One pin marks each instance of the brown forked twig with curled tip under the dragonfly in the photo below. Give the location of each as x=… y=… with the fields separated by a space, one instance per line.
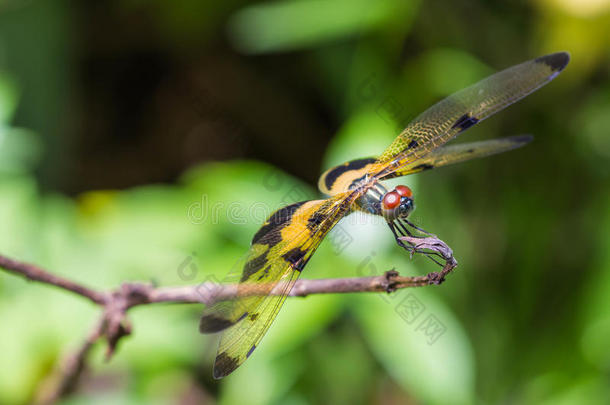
x=113 y=324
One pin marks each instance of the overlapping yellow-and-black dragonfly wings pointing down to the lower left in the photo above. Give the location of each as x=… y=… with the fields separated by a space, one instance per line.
x=279 y=252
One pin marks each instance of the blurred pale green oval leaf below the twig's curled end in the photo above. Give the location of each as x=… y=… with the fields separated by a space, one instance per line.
x=427 y=351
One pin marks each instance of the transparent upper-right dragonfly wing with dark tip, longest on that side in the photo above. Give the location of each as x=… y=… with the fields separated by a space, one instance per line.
x=460 y=111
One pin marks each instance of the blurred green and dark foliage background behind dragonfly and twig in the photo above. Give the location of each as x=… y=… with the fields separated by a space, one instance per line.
x=147 y=140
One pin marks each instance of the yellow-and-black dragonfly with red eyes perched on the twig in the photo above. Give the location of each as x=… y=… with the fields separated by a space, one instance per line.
x=284 y=244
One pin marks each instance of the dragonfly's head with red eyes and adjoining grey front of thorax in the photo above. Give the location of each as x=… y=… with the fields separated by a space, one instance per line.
x=378 y=200
